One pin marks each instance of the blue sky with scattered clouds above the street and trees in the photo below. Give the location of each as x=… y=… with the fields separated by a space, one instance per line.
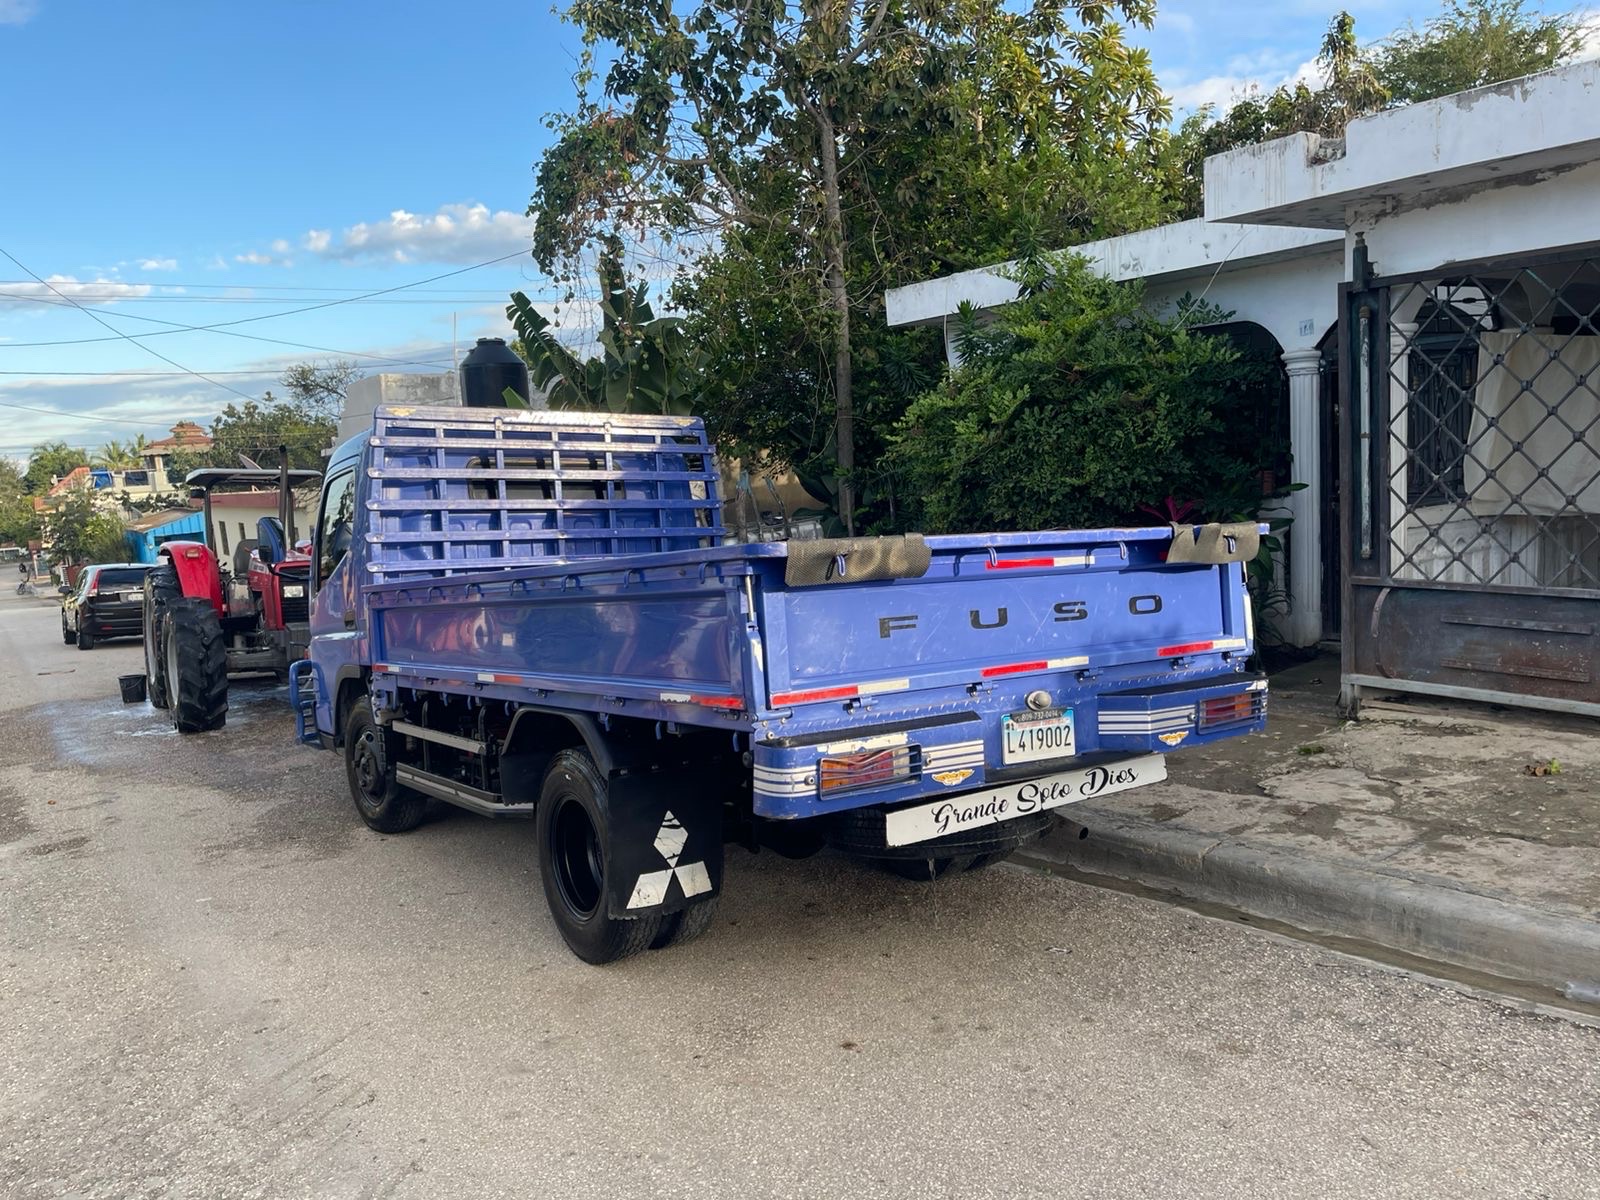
x=215 y=162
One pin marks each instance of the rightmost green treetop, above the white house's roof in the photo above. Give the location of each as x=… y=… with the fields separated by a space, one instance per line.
x=1473 y=44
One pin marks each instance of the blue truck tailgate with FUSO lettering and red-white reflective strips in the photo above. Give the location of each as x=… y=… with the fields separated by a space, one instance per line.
x=998 y=607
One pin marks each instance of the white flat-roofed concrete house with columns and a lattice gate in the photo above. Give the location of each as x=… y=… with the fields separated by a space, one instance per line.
x=1433 y=286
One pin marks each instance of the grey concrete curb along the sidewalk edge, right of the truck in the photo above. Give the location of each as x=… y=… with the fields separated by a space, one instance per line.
x=1420 y=916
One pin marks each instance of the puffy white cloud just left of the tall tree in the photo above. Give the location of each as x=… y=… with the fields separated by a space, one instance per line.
x=454 y=234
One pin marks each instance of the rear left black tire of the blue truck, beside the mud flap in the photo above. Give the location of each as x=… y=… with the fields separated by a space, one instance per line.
x=572 y=838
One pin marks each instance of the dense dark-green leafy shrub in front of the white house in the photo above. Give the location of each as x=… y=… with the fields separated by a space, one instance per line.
x=1079 y=407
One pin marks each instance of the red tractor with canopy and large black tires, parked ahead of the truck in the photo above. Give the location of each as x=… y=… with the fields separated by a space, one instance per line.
x=206 y=620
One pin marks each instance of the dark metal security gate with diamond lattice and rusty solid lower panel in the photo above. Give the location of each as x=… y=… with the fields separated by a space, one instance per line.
x=1471 y=487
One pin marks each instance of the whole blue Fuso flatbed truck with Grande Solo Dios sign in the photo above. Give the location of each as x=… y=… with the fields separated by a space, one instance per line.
x=537 y=615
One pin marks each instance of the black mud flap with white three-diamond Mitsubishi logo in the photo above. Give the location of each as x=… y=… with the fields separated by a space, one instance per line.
x=665 y=841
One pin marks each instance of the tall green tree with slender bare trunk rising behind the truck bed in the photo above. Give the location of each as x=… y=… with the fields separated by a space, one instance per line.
x=756 y=127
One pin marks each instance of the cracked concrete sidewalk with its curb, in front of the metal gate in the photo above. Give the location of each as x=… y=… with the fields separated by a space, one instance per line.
x=1449 y=836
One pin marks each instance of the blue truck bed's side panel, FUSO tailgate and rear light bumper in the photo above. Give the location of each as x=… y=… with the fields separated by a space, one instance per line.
x=1140 y=655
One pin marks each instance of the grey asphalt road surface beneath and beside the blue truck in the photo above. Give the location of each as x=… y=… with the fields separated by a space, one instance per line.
x=217 y=983
